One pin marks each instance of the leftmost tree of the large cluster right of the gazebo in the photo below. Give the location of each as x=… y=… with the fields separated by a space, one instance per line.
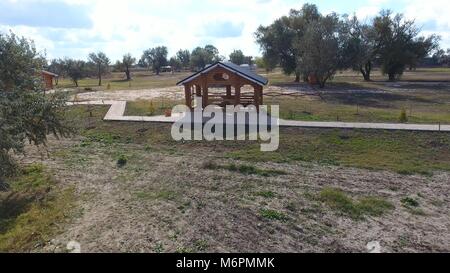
x=279 y=40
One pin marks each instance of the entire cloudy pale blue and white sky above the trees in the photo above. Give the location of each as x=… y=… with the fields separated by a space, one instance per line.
x=73 y=28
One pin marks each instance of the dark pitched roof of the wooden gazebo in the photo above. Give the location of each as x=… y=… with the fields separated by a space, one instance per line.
x=239 y=70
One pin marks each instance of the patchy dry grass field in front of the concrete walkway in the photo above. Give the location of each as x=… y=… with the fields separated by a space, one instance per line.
x=323 y=190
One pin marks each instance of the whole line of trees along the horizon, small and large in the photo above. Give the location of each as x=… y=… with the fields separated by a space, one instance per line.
x=304 y=43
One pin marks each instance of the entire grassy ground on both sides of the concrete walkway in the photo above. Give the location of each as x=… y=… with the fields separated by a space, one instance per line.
x=134 y=189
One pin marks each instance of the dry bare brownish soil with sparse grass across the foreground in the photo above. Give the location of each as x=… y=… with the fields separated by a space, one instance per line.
x=167 y=201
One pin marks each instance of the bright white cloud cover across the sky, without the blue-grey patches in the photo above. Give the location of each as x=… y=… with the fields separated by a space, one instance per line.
x=131 y=26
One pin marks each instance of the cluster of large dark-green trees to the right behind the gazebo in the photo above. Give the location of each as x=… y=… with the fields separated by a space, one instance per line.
x=306 y=43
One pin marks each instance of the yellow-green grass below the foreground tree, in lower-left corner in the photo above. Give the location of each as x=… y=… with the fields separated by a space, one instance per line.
x=32 y=210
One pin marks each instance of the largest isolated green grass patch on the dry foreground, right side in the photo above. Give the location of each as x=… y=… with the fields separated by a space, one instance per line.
x=339 y=201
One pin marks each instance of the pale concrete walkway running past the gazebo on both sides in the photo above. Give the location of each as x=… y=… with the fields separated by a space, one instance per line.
x=117 y=110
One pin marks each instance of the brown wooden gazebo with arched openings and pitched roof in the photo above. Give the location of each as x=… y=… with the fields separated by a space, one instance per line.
x=229 y=76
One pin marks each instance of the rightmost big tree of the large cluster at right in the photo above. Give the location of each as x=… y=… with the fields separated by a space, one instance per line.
x=398 y=43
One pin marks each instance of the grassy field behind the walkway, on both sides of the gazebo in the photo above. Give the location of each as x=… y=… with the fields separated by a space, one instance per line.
x=347 y=98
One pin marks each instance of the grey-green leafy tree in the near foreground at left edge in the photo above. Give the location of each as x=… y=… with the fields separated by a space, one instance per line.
x=26 y=112
